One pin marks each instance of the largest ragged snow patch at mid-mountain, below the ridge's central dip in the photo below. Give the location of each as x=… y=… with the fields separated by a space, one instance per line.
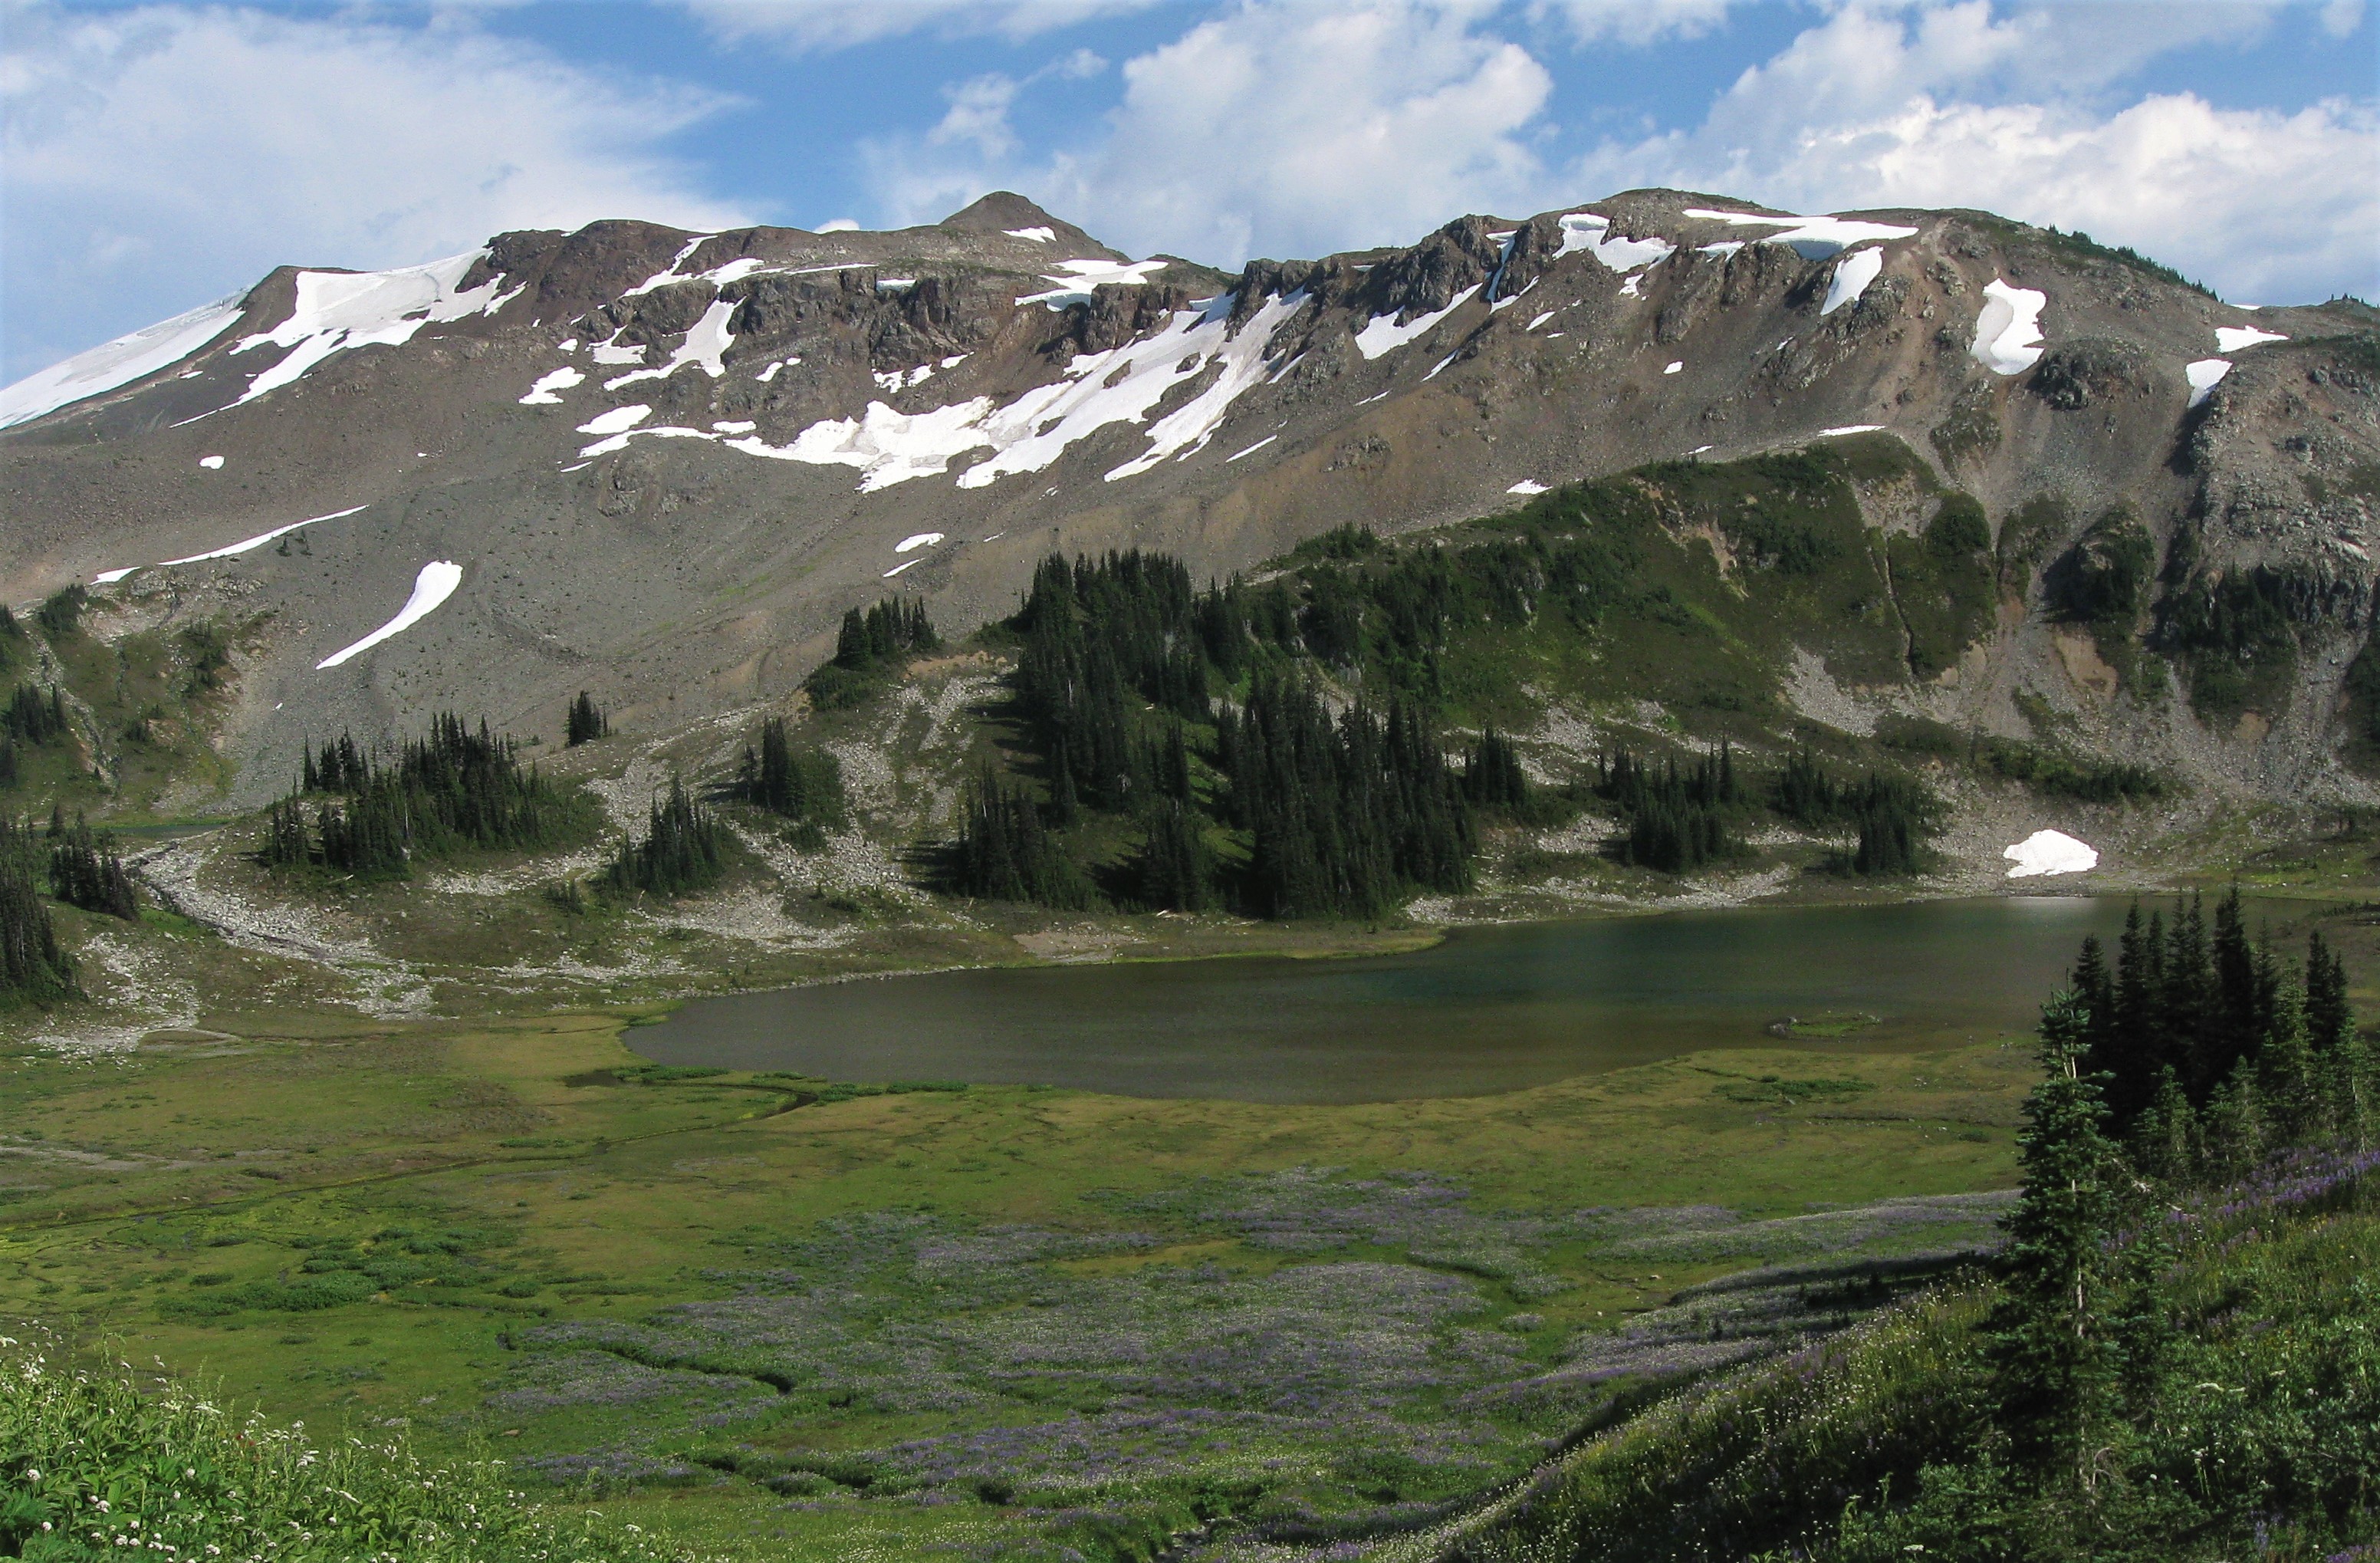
x=1098 y=389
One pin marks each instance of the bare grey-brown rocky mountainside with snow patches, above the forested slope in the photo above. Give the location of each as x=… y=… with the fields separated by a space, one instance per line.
x=665 y=465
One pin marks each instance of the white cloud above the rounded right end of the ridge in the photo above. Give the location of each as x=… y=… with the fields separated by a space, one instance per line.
x=1869 y=111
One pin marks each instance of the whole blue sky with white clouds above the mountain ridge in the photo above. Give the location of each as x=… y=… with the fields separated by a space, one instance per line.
x=165 y=156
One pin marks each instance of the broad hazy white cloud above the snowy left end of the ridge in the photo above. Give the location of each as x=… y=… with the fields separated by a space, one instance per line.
x=163 y=156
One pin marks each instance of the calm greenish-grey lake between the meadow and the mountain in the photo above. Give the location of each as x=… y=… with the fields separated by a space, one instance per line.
x=1484 y=1012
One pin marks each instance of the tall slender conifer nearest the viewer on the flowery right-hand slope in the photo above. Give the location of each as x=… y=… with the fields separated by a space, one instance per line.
x=2050 y=1360
